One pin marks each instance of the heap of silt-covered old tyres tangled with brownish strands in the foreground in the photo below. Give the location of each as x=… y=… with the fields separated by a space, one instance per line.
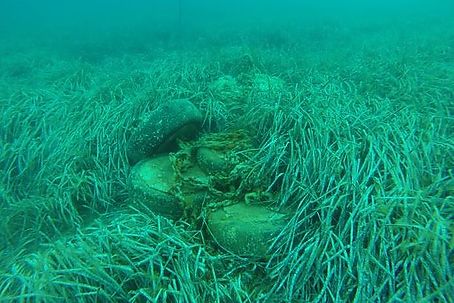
x=201 y=180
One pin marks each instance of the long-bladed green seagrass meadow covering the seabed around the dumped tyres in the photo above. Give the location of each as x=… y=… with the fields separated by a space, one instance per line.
x=350 y=129
